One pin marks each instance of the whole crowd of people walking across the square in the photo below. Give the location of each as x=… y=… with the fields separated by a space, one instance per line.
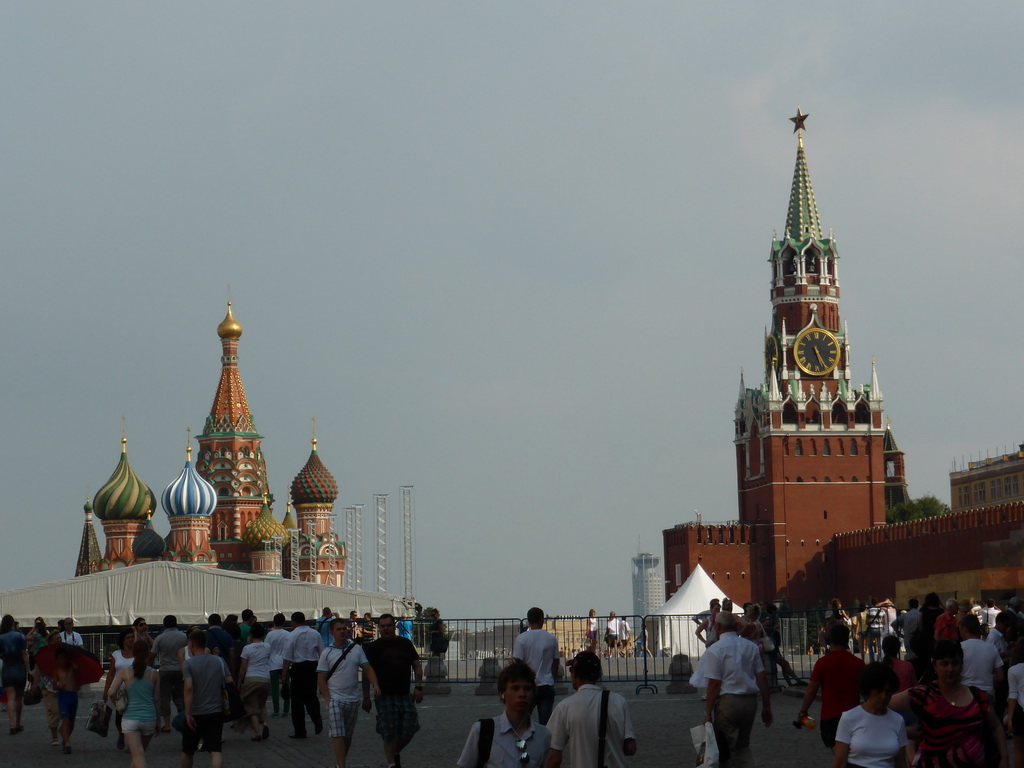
x=937 y=686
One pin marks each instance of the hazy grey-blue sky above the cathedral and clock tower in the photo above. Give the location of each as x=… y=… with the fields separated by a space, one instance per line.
x=511 y=254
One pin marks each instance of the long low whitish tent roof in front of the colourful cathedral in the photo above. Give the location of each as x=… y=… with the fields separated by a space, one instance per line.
x=190 y=592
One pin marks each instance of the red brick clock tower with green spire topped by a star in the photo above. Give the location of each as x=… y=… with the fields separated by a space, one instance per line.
x=809 y=444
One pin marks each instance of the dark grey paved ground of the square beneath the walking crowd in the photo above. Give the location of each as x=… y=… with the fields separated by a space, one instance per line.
x=662 y=722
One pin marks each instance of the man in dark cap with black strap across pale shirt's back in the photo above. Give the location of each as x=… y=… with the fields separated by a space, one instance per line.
x=576 y=721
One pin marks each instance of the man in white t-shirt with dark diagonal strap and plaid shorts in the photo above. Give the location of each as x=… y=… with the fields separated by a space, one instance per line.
x=338 y=680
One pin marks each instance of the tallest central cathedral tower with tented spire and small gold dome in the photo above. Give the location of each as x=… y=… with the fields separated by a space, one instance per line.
x=231 y=457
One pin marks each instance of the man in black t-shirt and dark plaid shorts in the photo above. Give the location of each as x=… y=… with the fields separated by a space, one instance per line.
x=395 y=661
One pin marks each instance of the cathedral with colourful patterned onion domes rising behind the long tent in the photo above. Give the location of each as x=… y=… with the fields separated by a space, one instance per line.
x=220 y=508
